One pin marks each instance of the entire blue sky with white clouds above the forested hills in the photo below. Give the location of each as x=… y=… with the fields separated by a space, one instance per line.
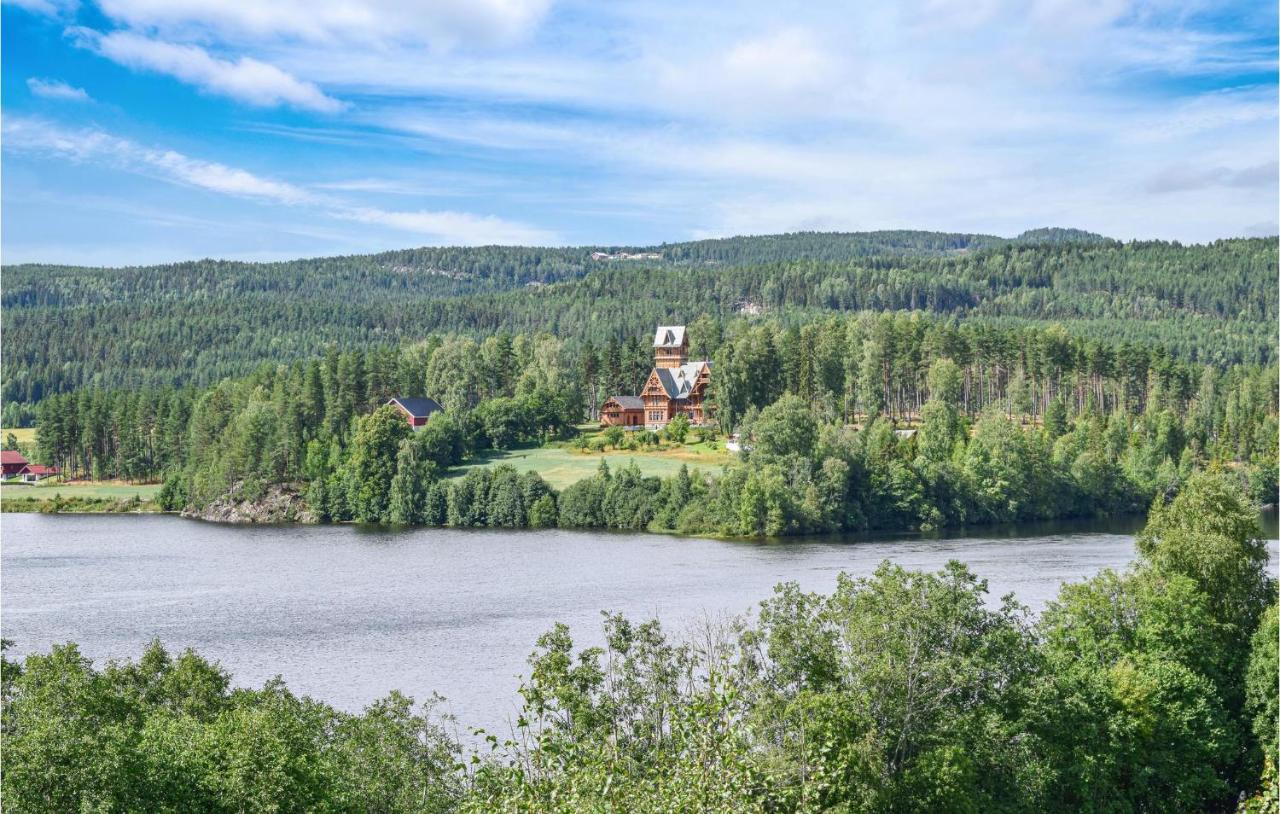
x=147 y=131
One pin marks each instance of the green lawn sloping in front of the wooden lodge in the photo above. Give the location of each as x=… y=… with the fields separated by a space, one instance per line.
x=561 y=467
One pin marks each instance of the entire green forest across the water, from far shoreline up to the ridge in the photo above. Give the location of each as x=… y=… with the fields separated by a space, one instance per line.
x=885 y=381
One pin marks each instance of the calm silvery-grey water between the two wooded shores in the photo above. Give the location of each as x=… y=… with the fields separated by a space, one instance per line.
x=346 y=615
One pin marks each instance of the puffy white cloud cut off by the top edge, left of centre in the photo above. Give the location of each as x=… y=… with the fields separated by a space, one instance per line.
x=441 y=24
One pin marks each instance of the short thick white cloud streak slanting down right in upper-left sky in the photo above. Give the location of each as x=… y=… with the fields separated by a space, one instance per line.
x=244 y=80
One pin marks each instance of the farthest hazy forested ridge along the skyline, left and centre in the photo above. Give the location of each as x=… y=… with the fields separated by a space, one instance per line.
x=447 y=271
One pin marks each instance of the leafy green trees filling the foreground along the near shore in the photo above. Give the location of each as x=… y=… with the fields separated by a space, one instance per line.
x=1146 y=690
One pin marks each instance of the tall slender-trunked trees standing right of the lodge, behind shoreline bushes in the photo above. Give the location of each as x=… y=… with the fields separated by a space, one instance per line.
x=880 y=364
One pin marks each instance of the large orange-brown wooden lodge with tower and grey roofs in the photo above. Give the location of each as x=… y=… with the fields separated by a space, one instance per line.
x=675 y=387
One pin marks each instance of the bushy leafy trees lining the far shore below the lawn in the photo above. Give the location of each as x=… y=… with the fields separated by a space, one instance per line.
x=799 y=477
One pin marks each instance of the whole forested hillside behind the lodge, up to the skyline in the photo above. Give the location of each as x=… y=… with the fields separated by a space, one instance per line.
x=67 y=328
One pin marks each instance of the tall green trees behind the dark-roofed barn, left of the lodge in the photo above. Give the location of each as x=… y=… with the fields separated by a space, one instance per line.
x=509 y=390
